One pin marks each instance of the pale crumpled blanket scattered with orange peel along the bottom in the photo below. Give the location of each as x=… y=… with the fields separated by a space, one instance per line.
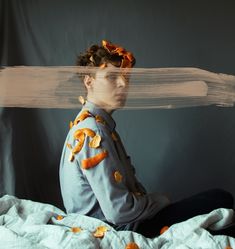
x=27 y=224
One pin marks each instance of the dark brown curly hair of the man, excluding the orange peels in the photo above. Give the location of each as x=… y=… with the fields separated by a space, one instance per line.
x=97 y=55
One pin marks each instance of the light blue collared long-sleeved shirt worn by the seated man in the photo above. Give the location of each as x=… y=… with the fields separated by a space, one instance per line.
x=96 y=192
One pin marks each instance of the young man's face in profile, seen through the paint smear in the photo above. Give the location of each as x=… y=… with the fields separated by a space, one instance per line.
x=108 y=89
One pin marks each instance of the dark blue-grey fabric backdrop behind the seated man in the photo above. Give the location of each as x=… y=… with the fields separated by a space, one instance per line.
x=181 y=151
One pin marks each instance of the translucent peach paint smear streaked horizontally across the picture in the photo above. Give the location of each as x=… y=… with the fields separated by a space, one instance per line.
x=59 y=87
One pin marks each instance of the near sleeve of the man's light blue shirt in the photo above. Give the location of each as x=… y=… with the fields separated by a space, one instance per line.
x=106 y=176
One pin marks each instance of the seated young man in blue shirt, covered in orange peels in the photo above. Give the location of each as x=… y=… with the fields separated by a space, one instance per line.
x=96 y=175
